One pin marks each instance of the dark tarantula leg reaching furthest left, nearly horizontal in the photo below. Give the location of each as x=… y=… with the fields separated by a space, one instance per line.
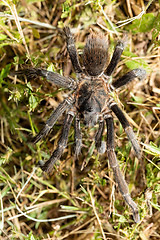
x=53 y=77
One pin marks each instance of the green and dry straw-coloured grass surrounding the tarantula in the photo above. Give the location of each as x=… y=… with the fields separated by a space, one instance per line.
x=80 y=199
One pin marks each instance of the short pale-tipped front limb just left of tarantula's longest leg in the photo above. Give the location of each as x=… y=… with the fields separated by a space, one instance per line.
x=100 y=145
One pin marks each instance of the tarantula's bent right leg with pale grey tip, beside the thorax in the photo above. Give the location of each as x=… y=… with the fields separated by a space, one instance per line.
x=128 y=77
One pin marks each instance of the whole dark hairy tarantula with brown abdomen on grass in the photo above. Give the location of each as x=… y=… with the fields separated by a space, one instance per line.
x=91 y=101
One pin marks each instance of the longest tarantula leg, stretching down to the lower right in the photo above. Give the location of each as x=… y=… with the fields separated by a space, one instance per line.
x=117 y=173
